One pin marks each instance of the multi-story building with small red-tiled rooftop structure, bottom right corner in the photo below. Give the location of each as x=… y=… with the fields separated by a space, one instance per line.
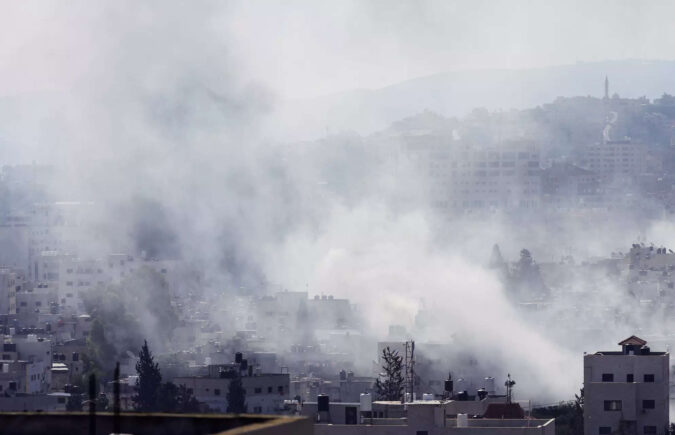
x=626 y=391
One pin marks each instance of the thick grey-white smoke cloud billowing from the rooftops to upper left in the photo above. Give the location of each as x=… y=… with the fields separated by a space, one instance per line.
x=149 y=113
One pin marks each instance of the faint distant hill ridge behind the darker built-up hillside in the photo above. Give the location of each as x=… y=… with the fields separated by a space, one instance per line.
x=457 y=93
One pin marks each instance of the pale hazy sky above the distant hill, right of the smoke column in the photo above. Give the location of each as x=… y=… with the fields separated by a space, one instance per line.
x=309 y=48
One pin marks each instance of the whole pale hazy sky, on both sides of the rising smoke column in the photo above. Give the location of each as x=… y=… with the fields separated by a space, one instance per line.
x=307 y=48
